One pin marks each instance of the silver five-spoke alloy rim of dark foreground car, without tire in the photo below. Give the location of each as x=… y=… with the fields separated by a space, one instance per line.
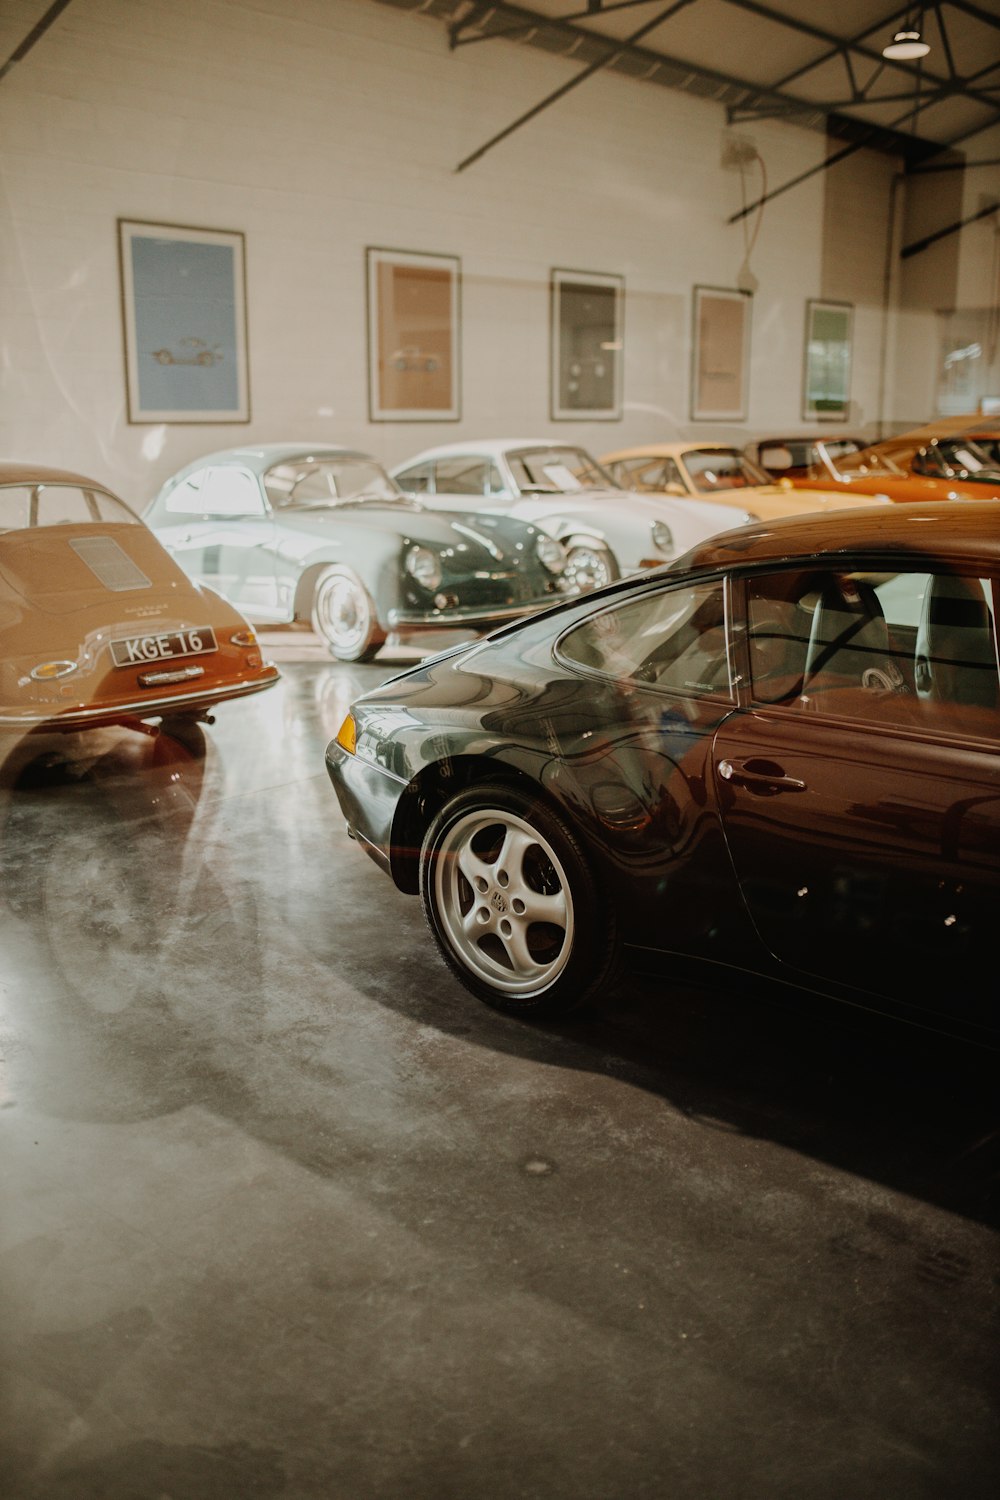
x=504 y=902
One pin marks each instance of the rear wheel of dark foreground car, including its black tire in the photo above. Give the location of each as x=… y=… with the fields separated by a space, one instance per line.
x=494 y=857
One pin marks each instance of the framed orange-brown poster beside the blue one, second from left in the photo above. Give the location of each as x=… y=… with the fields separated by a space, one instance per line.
x=413 y=337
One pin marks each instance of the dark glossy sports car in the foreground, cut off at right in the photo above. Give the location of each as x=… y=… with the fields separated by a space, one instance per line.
x=779 y=757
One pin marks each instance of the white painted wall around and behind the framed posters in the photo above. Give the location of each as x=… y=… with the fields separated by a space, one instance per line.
x=323 y=127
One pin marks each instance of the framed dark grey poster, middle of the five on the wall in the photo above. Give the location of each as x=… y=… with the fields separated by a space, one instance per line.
x=587 y=346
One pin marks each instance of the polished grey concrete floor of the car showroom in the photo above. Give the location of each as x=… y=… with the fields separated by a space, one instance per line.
x=287 y=1214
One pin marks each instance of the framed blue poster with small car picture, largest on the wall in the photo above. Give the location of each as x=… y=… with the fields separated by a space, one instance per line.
x=184 y=314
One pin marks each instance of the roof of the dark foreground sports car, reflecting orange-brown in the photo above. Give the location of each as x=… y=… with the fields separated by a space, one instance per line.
x=969 y=529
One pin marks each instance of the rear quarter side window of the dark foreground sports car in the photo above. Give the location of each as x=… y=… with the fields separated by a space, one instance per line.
x=674 y=640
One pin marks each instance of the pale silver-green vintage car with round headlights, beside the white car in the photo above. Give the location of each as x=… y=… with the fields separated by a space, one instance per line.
x=317 y=533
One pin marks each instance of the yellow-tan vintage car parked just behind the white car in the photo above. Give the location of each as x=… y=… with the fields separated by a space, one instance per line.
x=722 y=475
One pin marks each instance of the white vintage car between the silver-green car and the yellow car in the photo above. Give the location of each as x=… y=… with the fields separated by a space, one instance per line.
x=606 y=530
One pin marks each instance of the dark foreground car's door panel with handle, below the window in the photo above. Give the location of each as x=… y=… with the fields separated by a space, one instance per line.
x=831 y=829
